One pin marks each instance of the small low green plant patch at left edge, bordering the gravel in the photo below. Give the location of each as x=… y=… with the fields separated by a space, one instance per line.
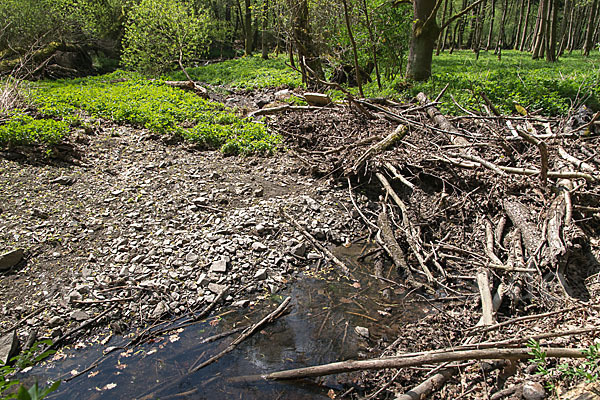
x=22 y=129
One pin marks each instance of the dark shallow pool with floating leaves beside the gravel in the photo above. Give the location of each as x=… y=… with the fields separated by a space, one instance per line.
x=320 y=328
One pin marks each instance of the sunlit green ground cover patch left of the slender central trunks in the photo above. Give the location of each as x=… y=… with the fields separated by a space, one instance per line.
x=246 y=73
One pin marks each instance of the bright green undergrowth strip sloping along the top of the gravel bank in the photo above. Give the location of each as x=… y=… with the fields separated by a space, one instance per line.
x=128 y=98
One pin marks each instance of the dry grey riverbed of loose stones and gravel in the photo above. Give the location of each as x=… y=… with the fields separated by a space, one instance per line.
x=142 y=230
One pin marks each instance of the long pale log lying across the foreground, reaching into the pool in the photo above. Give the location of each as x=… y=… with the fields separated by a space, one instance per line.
x=429 y=358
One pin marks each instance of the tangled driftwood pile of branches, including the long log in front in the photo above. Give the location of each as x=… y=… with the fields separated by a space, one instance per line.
x=504 y=207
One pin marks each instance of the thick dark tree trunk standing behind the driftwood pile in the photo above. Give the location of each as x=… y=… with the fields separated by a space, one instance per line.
x=424 y=33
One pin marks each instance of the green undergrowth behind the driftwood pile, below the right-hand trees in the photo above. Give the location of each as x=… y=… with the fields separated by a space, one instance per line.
x=552 y=88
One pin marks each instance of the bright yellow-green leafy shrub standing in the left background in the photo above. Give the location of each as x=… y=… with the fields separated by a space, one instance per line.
x=160 y=33
